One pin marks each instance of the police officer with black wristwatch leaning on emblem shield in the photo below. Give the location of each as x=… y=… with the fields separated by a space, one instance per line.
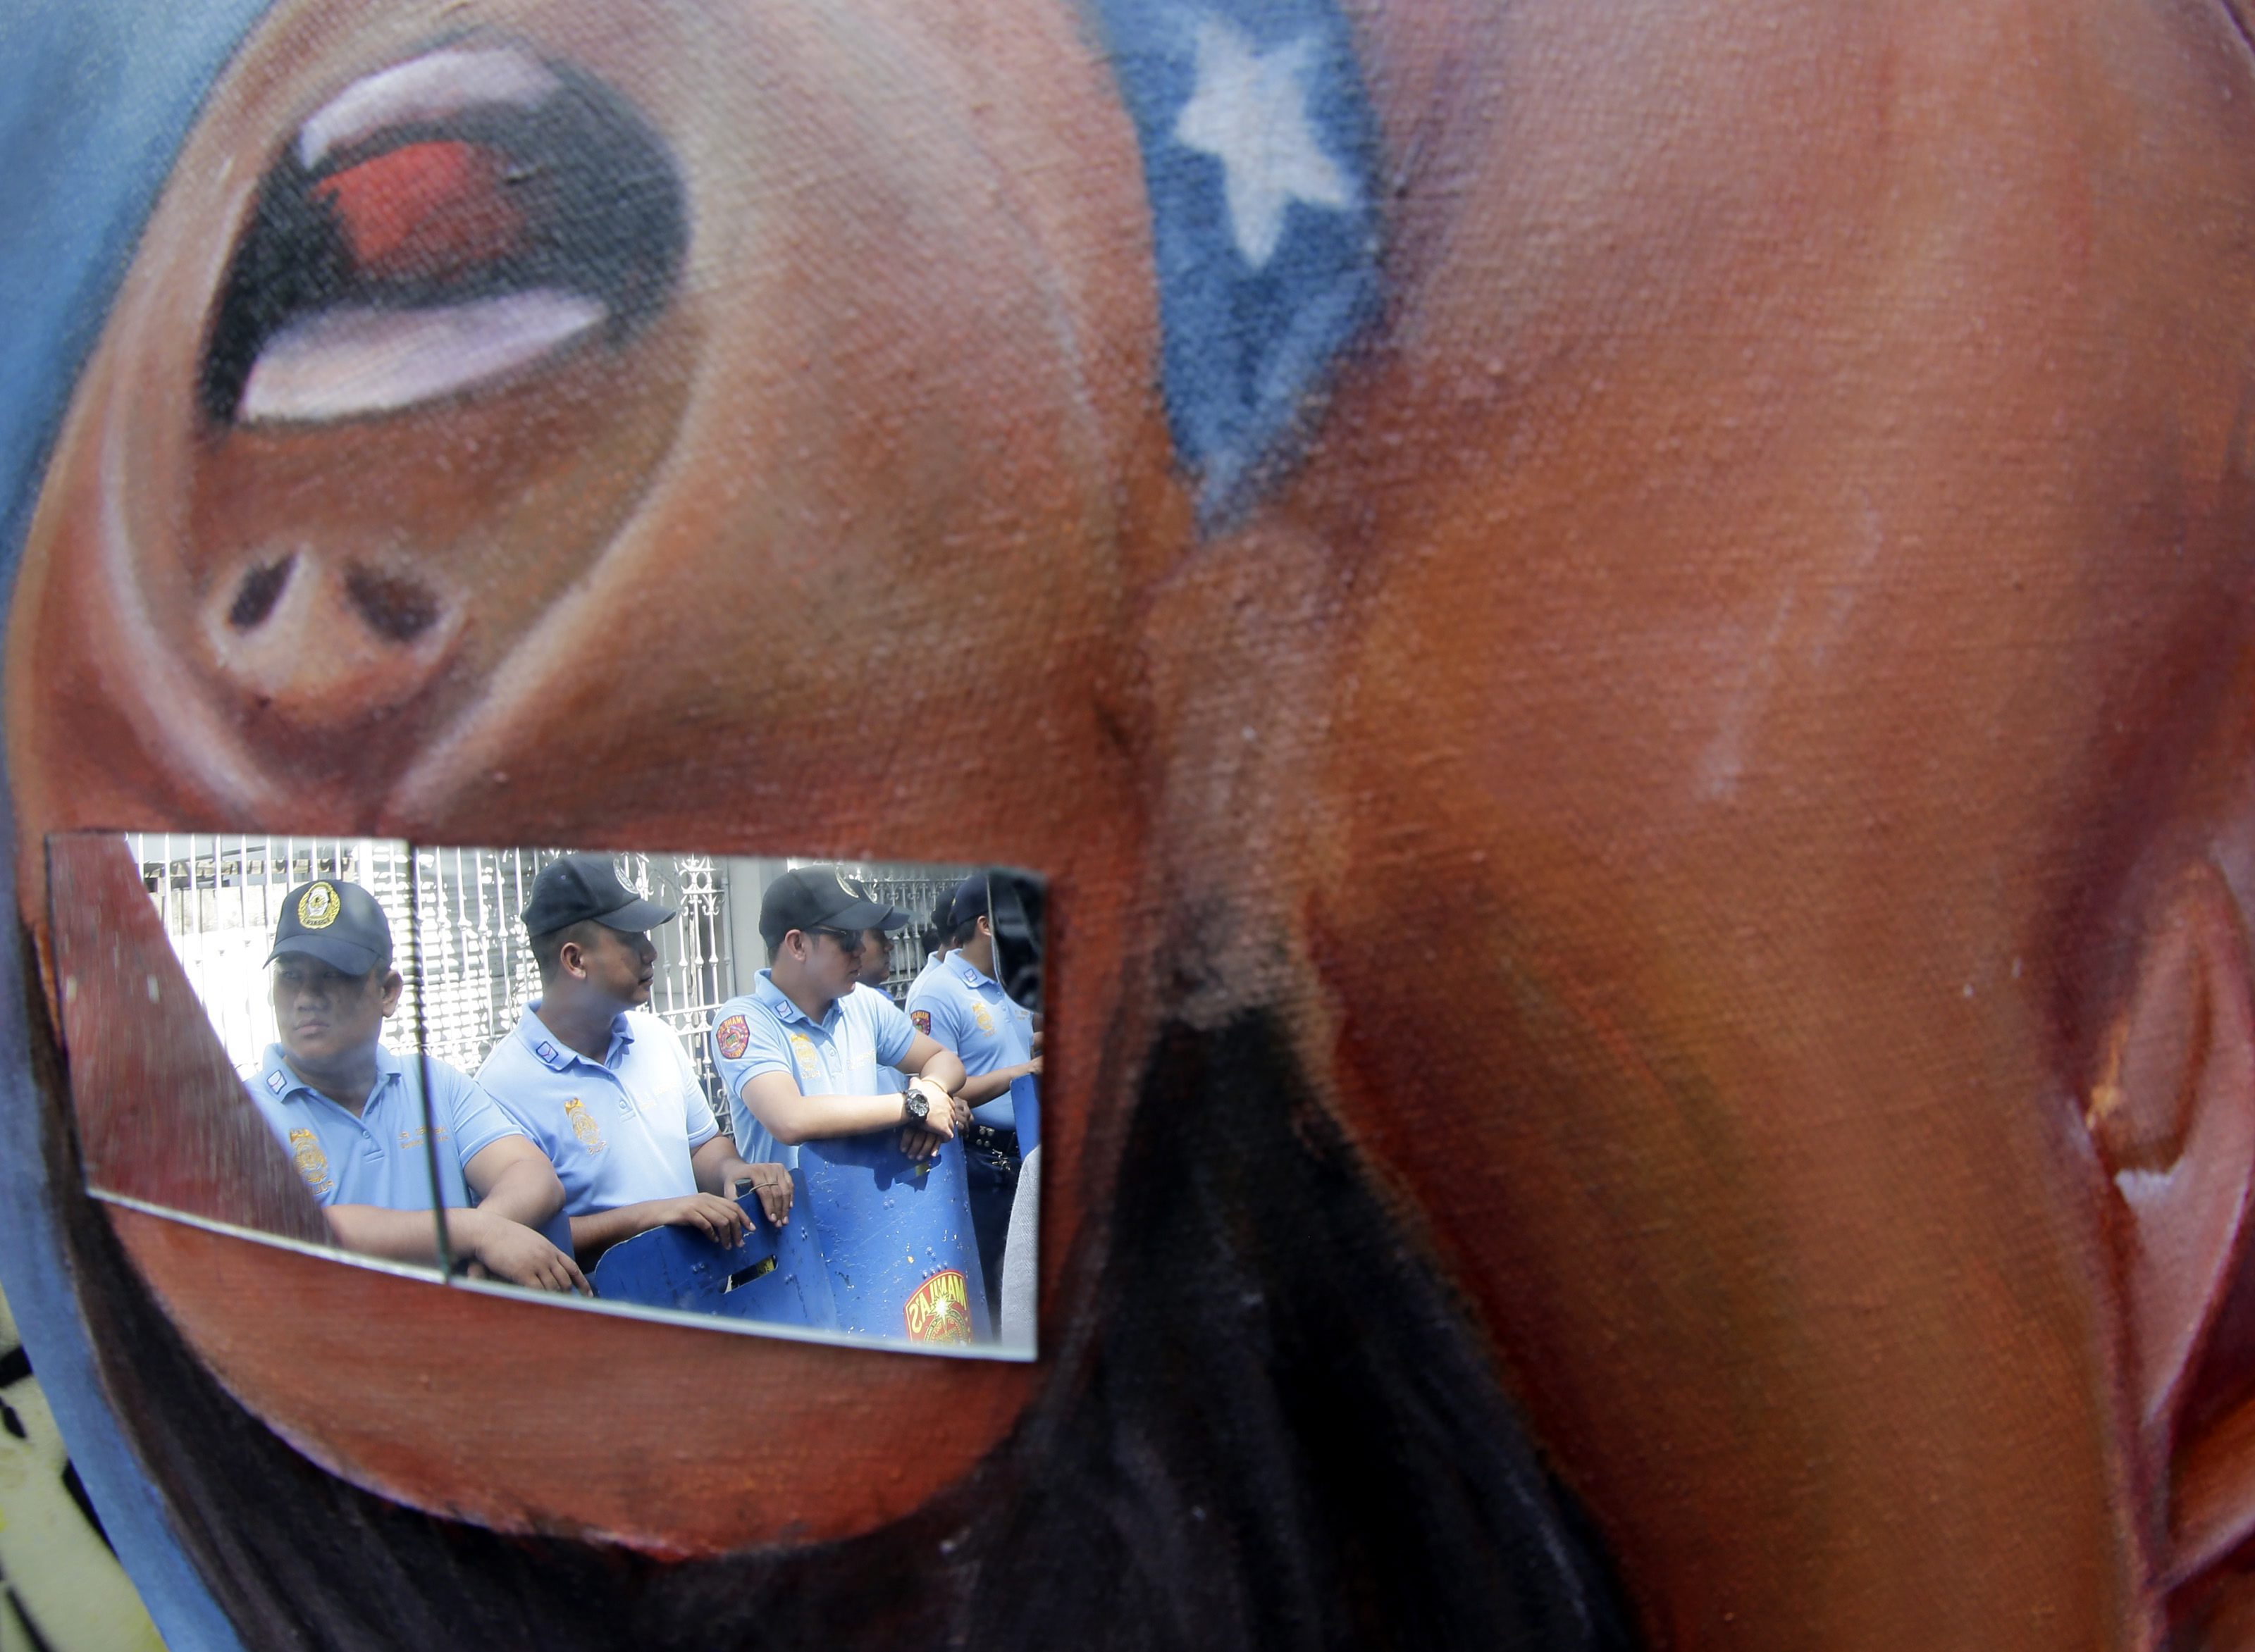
x=804 y=1051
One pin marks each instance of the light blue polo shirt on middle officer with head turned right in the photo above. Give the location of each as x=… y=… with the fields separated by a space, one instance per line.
x=617 y=1130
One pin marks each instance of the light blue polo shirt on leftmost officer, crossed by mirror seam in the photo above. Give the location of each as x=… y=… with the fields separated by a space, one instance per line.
x=380 y=1157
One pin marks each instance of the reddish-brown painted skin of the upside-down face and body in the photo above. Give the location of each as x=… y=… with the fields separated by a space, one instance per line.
x=1778 y=578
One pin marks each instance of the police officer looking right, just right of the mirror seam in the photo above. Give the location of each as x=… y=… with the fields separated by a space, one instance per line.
x=603 y=1087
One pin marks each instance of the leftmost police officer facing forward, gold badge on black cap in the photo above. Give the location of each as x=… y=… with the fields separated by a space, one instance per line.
x=353 y=1114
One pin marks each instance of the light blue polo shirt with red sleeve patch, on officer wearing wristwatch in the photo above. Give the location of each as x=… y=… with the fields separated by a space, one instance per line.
x=838 y=1056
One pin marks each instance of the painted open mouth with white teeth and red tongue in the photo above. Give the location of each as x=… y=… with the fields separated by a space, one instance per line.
x=436 y=229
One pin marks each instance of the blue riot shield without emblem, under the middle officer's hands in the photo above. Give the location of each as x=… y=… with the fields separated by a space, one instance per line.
x=777 y=1277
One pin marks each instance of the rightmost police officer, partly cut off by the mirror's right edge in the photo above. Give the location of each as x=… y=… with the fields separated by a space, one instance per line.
x=966 y=1011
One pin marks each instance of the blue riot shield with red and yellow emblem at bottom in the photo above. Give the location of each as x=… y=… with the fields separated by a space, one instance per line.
x=896 y=1236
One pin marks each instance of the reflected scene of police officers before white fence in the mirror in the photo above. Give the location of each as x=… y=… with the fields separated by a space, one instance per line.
x=790 y=1094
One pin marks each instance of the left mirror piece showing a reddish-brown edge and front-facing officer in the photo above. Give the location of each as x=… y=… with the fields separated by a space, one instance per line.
x=240 y=1024
